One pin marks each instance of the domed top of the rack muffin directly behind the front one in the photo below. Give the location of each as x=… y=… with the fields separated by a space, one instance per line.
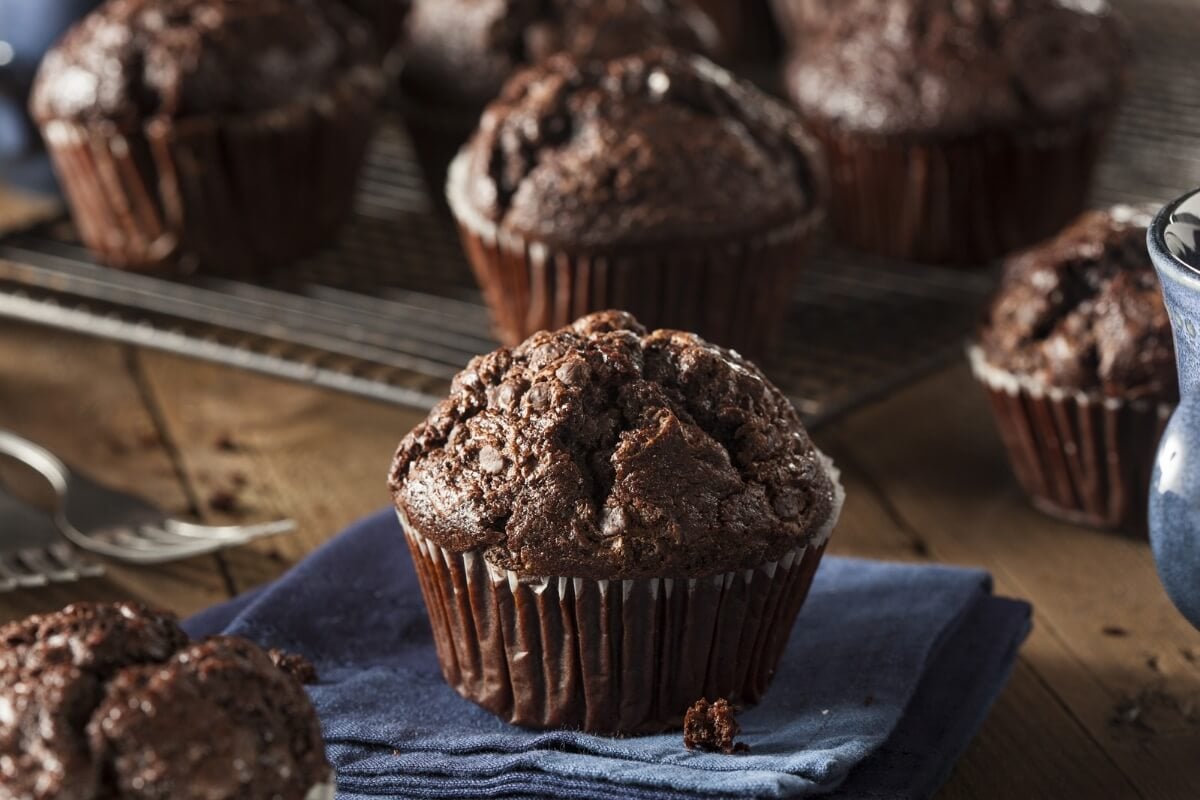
x=649 y=149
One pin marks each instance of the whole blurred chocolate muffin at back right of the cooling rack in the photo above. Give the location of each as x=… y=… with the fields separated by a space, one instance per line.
x=961 y=130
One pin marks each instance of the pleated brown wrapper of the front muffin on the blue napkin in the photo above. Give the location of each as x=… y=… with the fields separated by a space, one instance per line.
x=610 y=657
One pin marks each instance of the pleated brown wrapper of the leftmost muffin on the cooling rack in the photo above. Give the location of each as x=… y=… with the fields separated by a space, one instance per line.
x=232 y=196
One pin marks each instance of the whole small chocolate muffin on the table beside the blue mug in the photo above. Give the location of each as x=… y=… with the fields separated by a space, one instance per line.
x=1078 y=359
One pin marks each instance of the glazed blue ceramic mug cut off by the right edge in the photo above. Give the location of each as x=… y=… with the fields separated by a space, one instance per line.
x=1175 y=494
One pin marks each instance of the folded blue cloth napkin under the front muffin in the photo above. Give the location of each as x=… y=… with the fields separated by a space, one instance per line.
x=890 y=672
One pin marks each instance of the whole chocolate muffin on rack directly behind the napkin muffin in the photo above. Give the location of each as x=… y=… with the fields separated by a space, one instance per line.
x=656 y=183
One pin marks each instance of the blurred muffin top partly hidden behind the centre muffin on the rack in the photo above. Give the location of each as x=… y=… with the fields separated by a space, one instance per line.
x=461 y=52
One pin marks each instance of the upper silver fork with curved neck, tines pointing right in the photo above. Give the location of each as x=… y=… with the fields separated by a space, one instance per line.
x=121 y=526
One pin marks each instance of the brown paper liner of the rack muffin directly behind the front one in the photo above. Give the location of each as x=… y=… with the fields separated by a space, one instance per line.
x=734 y=292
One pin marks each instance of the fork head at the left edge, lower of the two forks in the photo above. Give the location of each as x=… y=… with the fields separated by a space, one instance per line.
x=33 y=552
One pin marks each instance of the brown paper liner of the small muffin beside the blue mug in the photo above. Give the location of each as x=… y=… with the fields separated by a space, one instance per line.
x=1082 y=458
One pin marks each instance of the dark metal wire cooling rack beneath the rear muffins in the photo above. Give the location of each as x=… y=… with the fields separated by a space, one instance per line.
x=392 y=311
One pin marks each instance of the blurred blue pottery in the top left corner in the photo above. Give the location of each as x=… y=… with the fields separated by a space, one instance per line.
x=28 y=28
